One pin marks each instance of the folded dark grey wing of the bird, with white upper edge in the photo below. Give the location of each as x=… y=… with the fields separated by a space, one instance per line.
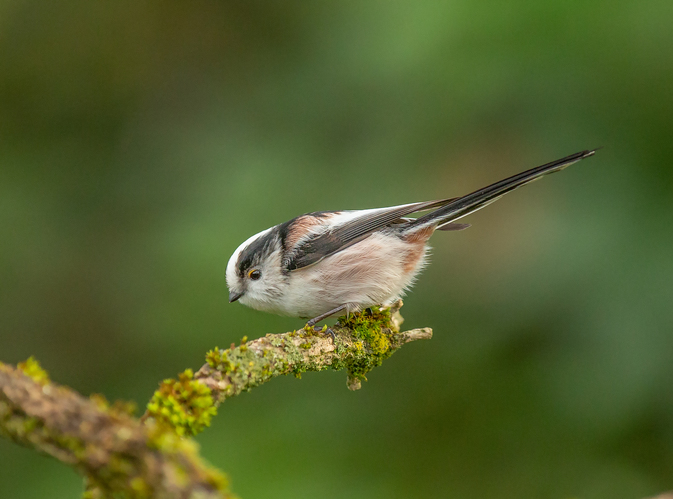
x=357 y=225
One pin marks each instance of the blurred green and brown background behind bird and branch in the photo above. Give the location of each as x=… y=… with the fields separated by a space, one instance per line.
x=141 y=142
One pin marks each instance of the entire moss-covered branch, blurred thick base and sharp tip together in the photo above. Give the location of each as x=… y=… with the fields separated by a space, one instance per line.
x=125 y=457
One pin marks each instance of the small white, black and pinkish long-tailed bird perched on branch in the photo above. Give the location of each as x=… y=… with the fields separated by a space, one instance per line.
x=324 y=263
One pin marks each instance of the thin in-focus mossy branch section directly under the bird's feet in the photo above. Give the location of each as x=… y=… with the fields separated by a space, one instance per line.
x=358 y=344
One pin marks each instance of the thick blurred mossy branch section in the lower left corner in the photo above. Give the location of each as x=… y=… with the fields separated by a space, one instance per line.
x=118 y=455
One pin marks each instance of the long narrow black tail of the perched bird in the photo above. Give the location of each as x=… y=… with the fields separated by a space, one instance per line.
x=465 y=205
